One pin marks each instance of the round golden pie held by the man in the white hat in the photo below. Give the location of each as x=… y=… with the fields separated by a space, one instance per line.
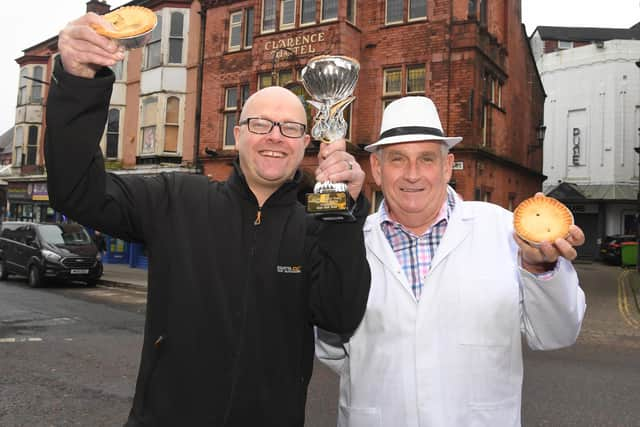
x=539 y=219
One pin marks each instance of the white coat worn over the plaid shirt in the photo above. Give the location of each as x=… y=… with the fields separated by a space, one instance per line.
x=454 y=357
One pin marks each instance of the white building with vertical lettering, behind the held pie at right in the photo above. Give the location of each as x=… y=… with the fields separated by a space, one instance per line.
x=592 y=118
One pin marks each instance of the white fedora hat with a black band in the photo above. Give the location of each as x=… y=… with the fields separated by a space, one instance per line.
x=410 y=119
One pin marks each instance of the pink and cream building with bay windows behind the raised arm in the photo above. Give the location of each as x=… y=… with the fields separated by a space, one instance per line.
x=151 y=119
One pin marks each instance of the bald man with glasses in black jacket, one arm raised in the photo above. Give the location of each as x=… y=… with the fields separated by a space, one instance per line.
x=238 y=273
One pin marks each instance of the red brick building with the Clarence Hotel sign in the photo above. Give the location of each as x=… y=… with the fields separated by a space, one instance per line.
x=471 y=57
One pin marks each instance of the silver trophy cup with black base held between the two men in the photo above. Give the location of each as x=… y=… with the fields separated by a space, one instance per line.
x=330 y=80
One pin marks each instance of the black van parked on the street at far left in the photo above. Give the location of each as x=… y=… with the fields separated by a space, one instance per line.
x=46 y=251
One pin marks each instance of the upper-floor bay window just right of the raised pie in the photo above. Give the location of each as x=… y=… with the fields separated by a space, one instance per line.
x=166 y=45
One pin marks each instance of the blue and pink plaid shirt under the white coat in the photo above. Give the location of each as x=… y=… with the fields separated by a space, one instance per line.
x=415 y=253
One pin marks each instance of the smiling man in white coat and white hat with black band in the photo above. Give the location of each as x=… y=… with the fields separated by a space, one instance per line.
x=453 y=288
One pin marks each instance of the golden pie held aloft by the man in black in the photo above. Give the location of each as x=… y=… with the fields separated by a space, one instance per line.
x=128 y=21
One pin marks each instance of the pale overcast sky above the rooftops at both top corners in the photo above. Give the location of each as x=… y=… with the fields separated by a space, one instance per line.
x=28 y=22
